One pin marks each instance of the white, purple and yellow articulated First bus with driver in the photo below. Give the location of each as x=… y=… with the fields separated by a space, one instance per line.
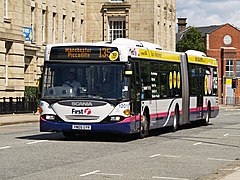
x=125 y=87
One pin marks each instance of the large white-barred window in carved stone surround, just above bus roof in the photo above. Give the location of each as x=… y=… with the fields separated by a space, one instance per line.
x=117 y=28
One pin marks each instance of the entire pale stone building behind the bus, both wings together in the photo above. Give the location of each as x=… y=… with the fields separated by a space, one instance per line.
x=26 y=26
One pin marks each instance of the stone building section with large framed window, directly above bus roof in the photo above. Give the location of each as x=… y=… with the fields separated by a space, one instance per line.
x=152 y=21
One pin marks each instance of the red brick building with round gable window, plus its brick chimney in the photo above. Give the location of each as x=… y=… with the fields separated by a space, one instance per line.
x=222 y=42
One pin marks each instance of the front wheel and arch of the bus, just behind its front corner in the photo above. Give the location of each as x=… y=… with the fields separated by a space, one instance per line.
x=145 y=123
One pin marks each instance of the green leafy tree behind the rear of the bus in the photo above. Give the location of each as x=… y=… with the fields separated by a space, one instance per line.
x=191 y=40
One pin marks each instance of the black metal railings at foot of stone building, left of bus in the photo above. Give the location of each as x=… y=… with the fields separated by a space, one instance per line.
x=17 y=105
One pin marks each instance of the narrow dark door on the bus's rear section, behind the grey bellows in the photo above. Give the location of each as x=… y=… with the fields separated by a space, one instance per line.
x=200 y=91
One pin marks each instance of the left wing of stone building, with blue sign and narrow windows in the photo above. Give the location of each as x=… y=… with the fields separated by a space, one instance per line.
x=26 y=26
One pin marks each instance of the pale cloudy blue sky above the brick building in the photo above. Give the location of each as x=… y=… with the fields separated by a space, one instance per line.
x=209 y=12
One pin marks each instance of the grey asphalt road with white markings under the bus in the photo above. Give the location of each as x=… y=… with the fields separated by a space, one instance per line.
x=195 y=152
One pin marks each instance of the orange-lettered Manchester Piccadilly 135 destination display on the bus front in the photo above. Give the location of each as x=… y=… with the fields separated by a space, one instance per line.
x=84 y=53
